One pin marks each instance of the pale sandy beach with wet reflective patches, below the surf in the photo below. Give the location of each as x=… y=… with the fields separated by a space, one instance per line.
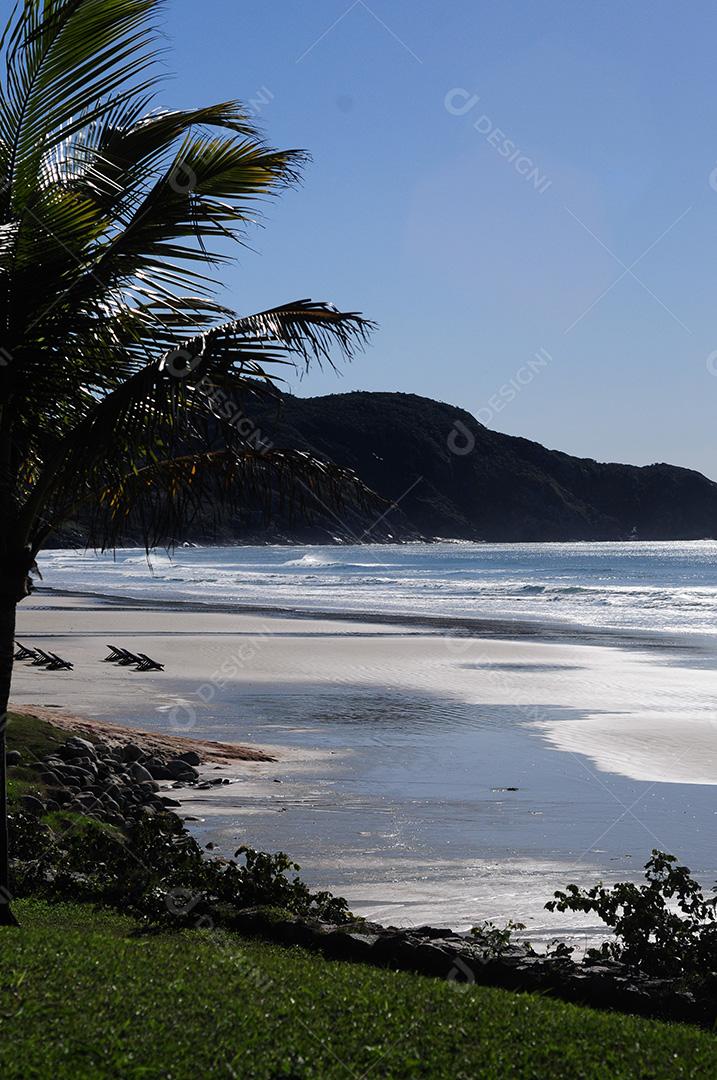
x=426 y=775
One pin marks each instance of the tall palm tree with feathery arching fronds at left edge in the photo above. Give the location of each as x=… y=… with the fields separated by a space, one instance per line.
x=116 y=358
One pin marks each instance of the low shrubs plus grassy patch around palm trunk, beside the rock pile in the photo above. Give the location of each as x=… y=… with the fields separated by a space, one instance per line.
x=151 y=867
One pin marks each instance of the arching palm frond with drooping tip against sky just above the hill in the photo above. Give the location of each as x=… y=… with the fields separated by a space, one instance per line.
x=173 y=401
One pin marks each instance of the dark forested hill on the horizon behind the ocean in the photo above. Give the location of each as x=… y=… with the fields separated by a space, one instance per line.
x=451 y=477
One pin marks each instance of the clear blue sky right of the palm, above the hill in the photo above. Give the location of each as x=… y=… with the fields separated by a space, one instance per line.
x=493 y=182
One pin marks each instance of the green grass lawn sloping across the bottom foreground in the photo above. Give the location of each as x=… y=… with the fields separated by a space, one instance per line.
x=83 y=996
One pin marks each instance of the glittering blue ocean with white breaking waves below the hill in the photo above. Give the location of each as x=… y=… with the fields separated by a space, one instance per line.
x=658 y=587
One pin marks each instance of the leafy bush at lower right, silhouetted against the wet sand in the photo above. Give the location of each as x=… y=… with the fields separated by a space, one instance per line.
x=666 y=927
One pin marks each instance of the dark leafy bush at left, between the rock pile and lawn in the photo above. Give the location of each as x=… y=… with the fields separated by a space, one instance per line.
x=156 y=871
